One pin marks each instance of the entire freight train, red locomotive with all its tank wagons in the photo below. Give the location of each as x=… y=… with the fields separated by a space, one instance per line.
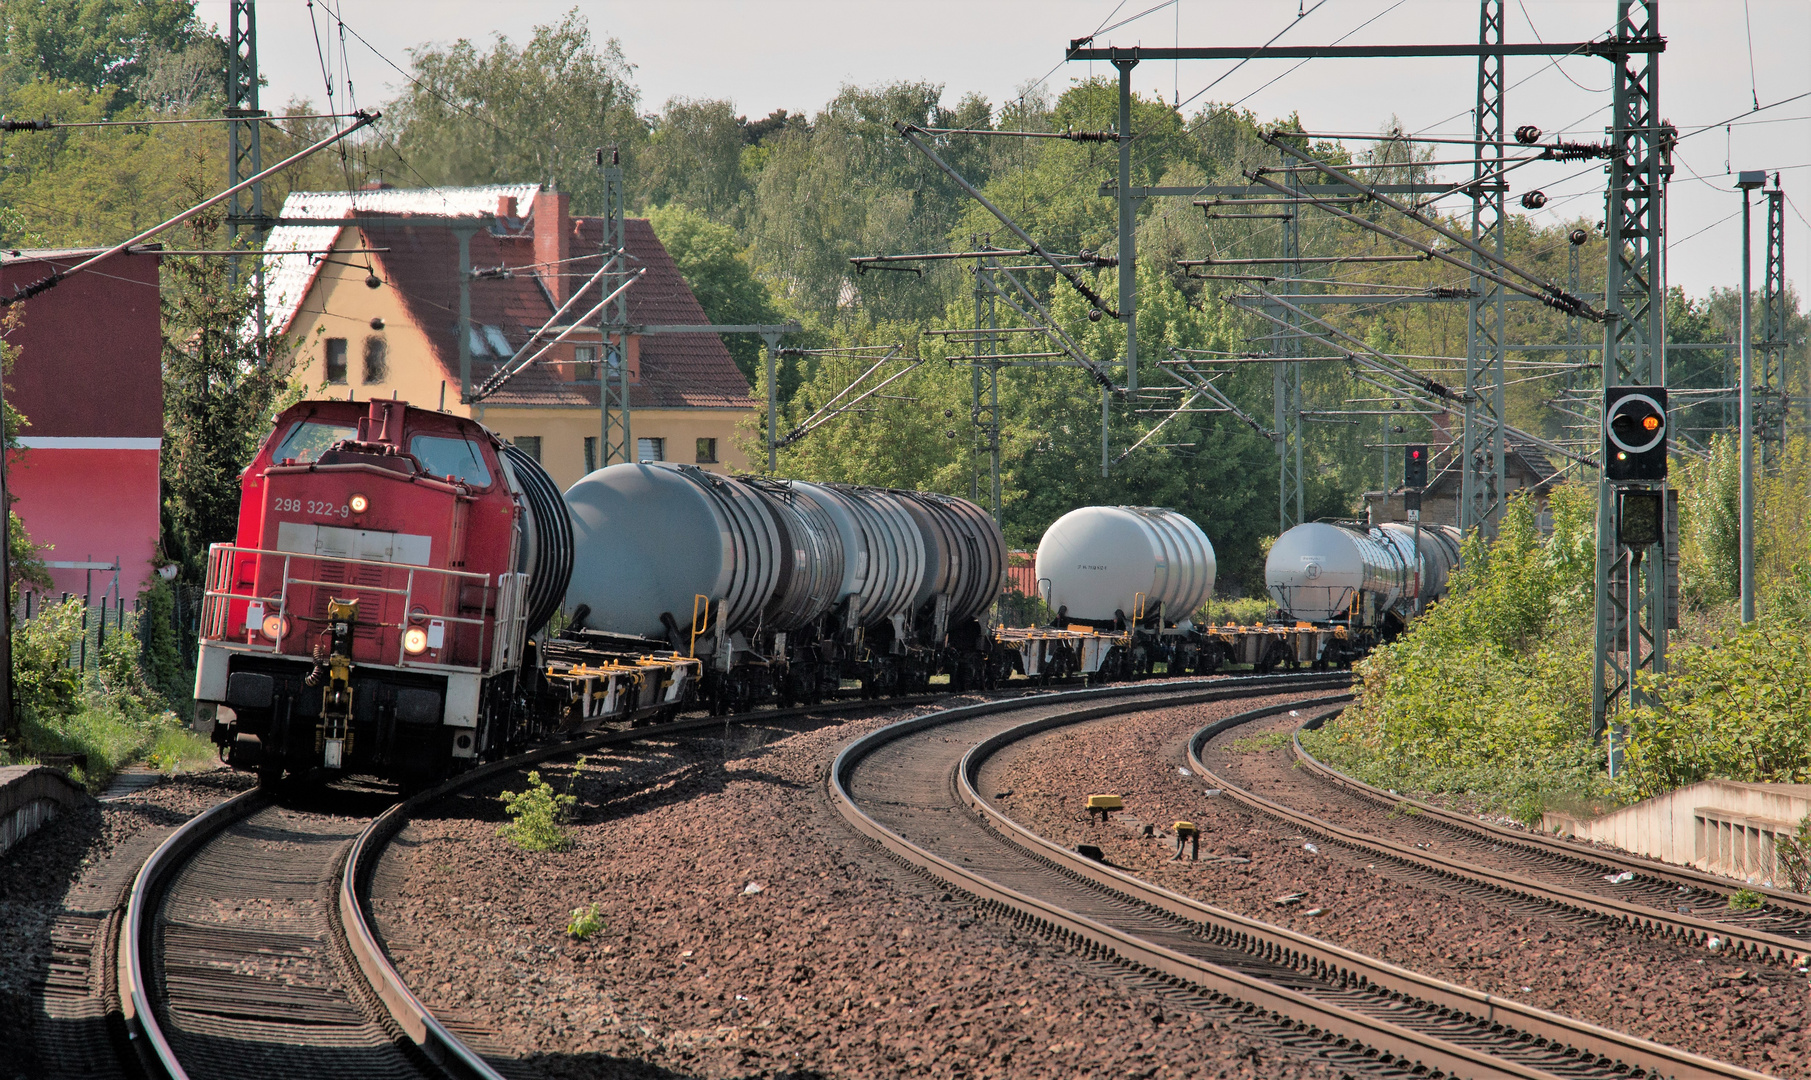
x=408 y=595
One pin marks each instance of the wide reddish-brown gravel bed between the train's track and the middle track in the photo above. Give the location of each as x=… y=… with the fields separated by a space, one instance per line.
x=747 y=931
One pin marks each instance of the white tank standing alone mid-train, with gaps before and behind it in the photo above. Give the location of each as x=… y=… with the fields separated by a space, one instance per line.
x=1106 y=564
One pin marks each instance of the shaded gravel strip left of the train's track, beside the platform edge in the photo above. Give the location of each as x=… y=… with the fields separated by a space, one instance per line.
x=79 y=860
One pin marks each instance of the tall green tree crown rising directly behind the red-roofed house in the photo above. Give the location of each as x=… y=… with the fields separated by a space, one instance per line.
x=513 y=115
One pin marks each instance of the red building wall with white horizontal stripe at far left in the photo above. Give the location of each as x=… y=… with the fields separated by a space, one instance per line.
x=90 y=380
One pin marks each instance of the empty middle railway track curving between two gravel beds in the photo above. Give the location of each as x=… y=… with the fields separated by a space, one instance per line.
x=912 y=787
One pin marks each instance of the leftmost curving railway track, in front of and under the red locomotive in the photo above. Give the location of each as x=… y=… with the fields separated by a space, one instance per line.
x=247 y=945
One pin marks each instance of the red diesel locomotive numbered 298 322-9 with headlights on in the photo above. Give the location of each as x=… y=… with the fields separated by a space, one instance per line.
x=379 y=606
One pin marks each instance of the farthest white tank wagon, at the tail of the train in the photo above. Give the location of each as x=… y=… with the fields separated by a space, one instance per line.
x=1370 y=579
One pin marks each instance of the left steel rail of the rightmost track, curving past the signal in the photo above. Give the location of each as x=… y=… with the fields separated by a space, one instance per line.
x=1638 y=916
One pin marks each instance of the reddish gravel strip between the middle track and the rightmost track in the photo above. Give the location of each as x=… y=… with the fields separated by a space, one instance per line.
x=1747 y=1012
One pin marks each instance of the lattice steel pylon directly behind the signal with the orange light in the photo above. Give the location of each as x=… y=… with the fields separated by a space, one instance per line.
x=1634 y=356
